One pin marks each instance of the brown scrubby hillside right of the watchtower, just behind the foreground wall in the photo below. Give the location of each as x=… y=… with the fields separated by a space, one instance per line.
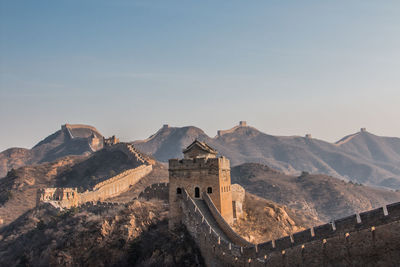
x=322 y=196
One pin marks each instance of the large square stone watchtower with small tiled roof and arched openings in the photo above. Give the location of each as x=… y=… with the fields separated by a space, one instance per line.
x=200 y=172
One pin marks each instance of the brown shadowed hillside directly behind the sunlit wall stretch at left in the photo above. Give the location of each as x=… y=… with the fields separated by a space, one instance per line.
x=18 y=190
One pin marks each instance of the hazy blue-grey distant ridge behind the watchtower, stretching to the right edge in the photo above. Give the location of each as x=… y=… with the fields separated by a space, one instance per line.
x=362 y=157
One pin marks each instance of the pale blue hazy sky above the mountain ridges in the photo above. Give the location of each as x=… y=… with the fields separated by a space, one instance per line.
x=127 y=67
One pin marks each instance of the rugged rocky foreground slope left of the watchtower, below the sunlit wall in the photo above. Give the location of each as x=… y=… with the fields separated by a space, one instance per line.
x=135 y=234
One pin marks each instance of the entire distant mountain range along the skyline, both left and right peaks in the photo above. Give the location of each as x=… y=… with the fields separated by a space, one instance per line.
x=361 y=157
